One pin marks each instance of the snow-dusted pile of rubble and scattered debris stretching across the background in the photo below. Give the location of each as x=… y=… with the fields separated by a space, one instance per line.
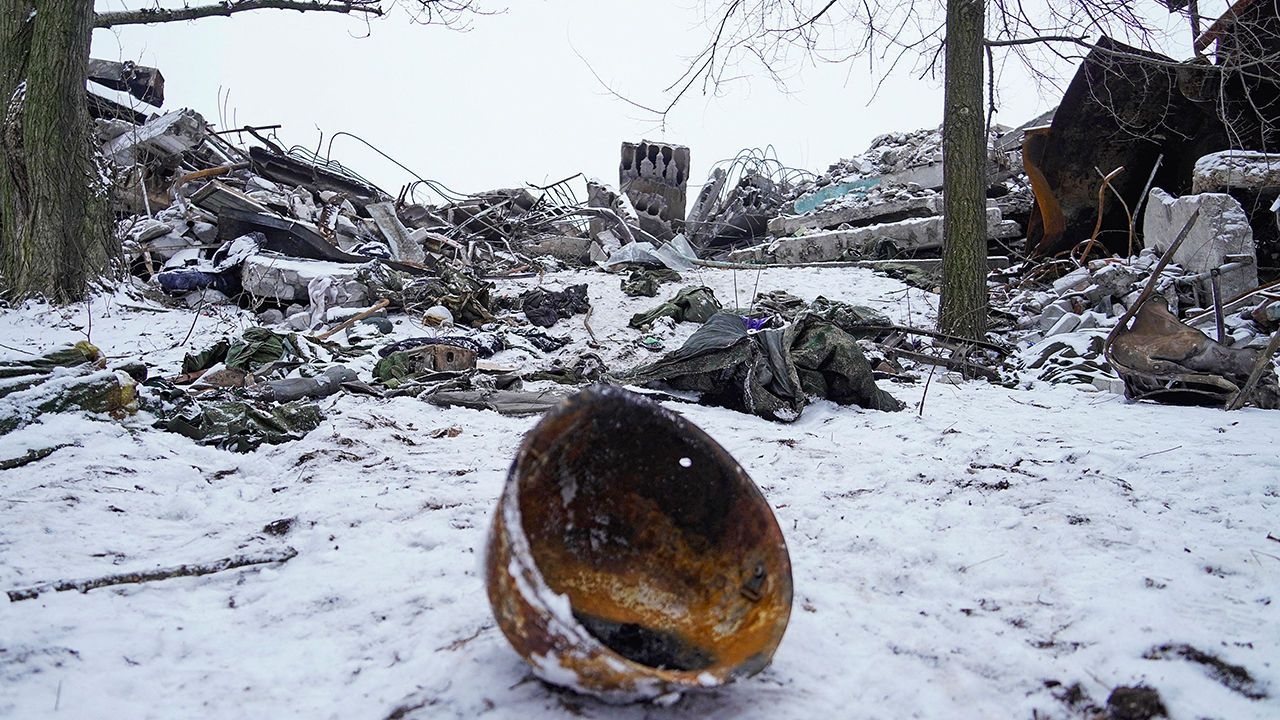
x=1164 y=303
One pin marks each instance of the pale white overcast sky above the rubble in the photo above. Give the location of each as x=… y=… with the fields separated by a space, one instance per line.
x=513 y=102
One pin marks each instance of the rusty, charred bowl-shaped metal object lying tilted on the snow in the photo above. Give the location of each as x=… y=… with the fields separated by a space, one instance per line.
x=632 y=557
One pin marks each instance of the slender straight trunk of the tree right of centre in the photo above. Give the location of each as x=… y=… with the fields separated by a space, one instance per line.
x=964 y=151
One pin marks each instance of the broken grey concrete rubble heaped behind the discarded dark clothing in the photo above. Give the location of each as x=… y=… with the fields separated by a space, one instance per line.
x=234 y=217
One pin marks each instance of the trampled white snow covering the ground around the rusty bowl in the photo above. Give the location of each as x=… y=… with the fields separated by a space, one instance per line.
x=949 y=560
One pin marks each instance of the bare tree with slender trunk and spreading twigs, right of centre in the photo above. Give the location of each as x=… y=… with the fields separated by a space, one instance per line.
x=929 y=37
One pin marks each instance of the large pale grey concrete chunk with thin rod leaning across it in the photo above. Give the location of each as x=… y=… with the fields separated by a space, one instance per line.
x=1222 y=230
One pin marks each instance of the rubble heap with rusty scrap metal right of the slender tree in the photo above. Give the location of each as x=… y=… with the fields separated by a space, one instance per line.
x=1199 y=265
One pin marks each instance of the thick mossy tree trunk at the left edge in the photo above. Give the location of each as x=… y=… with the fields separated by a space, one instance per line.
x=54 y=215
